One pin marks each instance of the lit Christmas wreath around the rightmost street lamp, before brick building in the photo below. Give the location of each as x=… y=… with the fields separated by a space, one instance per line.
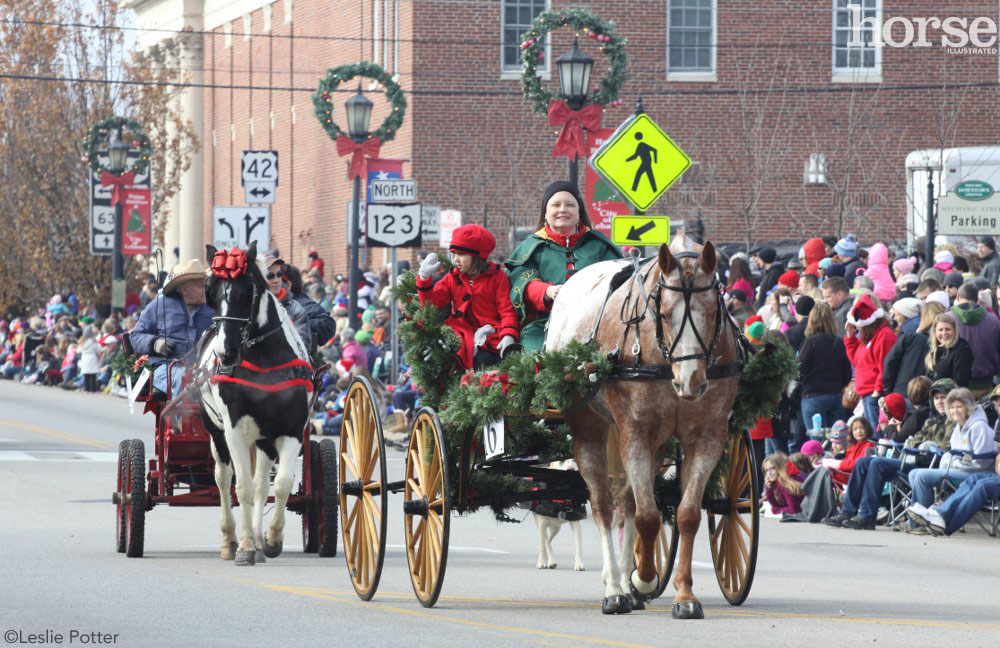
x=533 y=52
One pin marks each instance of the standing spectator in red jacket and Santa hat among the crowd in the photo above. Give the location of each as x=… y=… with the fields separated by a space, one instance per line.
x=869 y=339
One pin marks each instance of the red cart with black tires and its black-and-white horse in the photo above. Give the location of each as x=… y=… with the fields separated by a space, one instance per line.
x=266 y=376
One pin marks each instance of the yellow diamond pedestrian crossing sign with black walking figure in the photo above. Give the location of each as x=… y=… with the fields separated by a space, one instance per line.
x=640 y=160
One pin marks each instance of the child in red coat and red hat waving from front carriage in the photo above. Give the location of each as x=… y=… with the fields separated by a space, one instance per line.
x=478 y=293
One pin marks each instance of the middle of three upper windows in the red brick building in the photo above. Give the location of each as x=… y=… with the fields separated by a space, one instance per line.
x=691 y=36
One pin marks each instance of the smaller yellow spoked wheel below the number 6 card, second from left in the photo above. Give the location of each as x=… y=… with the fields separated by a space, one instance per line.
x=426 y=507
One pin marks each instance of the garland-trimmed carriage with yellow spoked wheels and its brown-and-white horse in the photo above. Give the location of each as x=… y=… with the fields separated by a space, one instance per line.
x=444 y=465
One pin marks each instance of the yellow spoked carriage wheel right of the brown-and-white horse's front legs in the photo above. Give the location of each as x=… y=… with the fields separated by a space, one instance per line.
x=734 y=534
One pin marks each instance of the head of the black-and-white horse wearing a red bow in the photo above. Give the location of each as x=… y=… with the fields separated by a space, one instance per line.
x=236 y=291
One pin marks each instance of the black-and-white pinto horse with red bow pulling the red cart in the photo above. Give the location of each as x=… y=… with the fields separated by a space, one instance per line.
x=257 y=399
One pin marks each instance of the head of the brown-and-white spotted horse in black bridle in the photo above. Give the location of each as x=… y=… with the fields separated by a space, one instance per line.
x=689 y=305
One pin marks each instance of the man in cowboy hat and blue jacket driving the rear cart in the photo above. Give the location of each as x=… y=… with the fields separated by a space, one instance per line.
x=170 y=325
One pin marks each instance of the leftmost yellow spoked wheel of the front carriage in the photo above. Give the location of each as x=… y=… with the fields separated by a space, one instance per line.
x=363 y=496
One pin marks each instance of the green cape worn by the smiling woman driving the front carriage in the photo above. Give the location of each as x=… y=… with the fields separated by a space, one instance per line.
x=539 y=257
